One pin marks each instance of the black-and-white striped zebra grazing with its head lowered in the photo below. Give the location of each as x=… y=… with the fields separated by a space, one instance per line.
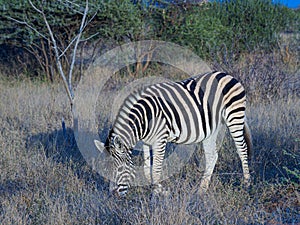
x=189 y=111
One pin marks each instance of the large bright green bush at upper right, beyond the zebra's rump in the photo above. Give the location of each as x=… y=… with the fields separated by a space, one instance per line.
x=240 y=26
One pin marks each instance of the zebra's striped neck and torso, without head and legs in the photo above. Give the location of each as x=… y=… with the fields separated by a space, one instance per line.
x=191 y=109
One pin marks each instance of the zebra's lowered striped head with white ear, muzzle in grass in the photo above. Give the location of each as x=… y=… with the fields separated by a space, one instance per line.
x=122 y=167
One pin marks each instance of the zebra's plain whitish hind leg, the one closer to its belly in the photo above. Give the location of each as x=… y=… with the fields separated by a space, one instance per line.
x=211 y=156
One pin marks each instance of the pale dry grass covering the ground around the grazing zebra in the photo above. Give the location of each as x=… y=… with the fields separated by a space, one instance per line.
x=44 y=179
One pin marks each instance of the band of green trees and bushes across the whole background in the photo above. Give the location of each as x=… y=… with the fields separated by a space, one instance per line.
x=210 y=30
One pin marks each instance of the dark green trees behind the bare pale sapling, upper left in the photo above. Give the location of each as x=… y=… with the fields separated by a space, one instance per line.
x=25 y=33
